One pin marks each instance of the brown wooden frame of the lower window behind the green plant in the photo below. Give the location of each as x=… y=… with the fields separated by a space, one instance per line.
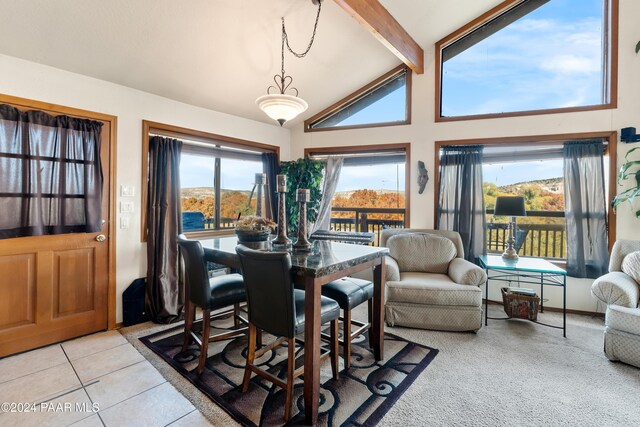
x=376 y=148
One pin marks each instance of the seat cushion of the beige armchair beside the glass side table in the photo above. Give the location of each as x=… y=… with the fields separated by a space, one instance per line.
x=432 y=289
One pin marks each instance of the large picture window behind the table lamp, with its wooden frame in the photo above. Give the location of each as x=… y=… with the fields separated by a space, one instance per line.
x=532 y=167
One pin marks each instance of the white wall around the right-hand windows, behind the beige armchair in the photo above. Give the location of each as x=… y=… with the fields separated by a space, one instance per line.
x=424 y=131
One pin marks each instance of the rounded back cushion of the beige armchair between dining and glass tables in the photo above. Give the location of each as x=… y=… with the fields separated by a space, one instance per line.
x=422 y=252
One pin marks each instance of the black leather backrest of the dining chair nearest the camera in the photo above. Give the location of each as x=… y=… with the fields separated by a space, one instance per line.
x=269 y=287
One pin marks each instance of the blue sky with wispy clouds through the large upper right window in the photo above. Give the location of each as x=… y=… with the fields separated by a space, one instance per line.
x=547 y=59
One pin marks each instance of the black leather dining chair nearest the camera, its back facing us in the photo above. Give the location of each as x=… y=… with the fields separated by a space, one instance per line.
x=277 y=308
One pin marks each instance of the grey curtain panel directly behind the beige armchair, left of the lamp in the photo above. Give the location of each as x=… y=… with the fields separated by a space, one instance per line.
x=461 y=201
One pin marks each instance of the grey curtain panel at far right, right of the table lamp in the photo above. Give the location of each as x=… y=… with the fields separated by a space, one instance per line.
x=585 y=209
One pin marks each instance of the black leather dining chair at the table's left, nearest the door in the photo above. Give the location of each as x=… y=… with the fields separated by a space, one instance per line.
x=210 y=295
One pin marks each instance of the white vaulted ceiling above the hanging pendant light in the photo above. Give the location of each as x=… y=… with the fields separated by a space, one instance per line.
x=218 y=54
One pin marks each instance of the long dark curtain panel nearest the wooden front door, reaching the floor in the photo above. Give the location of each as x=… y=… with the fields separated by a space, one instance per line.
x=164 y=292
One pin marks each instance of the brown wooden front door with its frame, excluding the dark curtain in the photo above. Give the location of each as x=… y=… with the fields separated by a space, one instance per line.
x=53 y=288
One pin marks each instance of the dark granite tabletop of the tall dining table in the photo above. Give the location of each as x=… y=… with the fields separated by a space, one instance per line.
x=325 y=257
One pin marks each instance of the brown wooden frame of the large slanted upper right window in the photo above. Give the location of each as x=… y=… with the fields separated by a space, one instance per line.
x=610 y=70
